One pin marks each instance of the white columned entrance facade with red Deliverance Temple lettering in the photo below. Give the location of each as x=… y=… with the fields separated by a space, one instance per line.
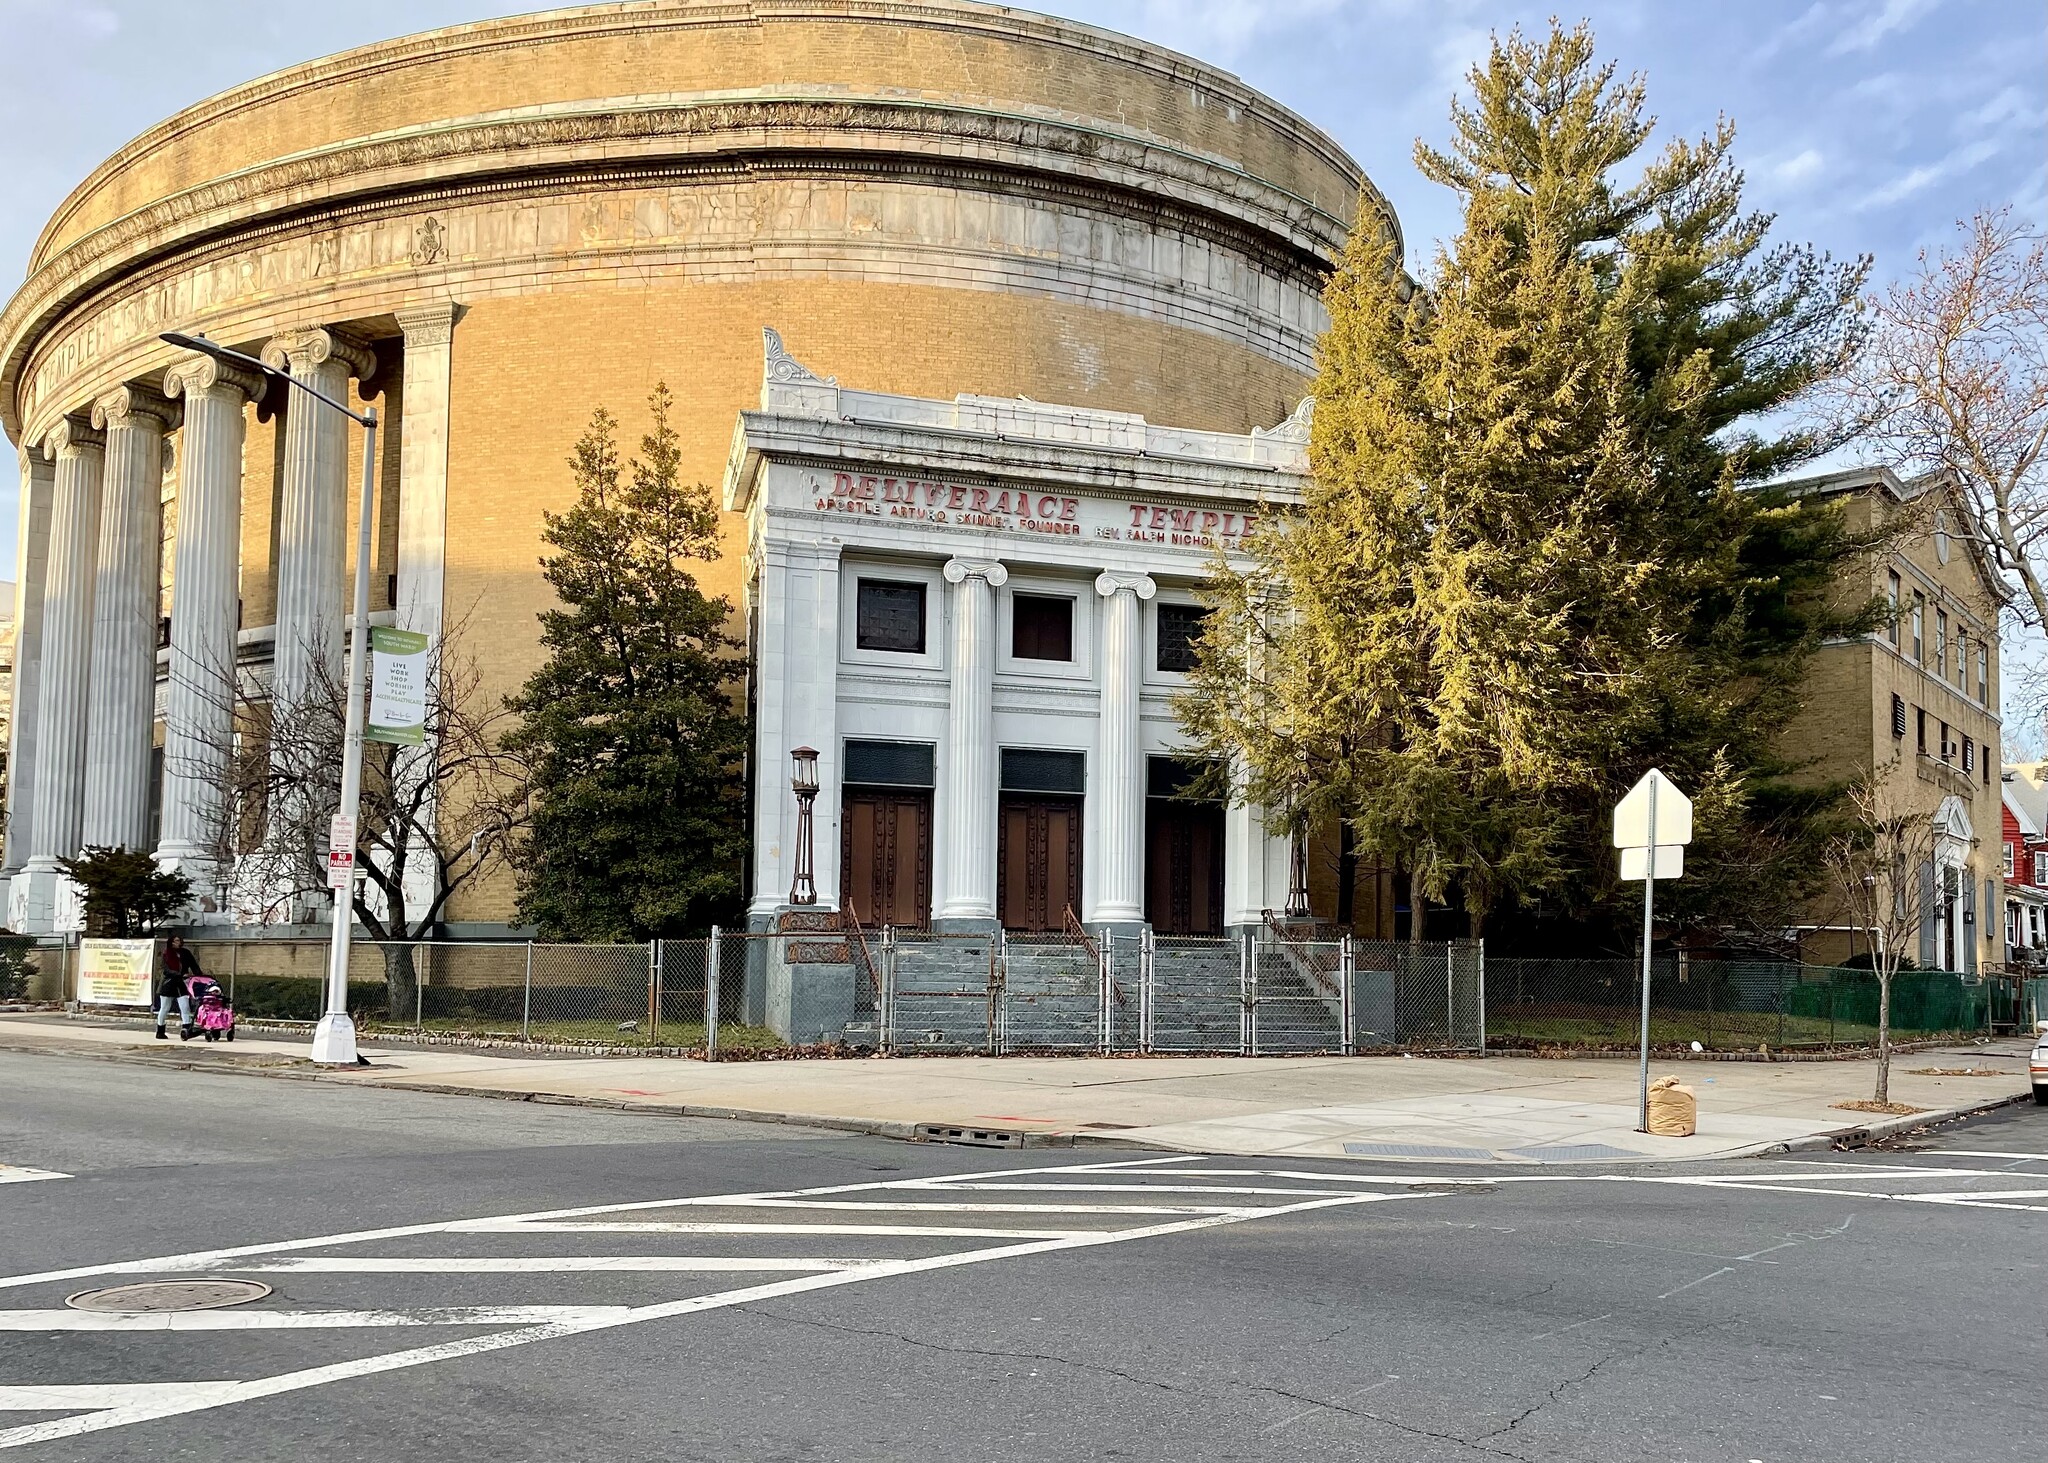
x=980 y=501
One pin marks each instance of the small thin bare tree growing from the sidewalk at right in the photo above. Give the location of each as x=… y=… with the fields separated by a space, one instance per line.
x=1881 y=864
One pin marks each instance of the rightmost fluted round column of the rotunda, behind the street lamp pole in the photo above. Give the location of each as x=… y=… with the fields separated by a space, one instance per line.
x=312 y=521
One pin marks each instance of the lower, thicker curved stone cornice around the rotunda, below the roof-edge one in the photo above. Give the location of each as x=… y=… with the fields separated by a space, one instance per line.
x=550 y=151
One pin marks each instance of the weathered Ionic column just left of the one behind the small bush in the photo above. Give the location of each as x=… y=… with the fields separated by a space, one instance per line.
x=75 y=528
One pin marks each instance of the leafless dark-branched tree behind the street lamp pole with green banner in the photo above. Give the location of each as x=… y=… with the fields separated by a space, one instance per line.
x=435 y=819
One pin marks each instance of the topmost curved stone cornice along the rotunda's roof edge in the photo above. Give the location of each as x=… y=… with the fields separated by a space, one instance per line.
x=650 y=19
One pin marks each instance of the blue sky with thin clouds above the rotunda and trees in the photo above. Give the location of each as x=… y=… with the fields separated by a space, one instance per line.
x=1867 y=126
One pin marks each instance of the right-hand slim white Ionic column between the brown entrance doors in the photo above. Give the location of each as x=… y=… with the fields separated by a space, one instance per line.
x=1119 y=784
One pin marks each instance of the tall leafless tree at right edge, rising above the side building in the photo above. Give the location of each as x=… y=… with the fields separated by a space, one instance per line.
x=1955 y=380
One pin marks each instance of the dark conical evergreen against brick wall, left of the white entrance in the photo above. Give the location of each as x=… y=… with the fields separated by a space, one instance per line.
x=634 y=722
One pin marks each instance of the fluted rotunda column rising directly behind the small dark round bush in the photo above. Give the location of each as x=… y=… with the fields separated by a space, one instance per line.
x=122 y=702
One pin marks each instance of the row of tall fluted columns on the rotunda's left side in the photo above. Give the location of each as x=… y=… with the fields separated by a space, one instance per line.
x=87 y=657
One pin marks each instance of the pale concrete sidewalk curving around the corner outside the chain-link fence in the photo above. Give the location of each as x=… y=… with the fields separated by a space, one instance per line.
x=1498 y=1110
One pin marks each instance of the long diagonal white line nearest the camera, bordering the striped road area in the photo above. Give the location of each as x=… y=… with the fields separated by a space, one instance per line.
x=171 y=1405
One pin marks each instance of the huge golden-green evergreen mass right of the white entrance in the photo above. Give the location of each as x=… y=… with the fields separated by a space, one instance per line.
x=1537 y=556
